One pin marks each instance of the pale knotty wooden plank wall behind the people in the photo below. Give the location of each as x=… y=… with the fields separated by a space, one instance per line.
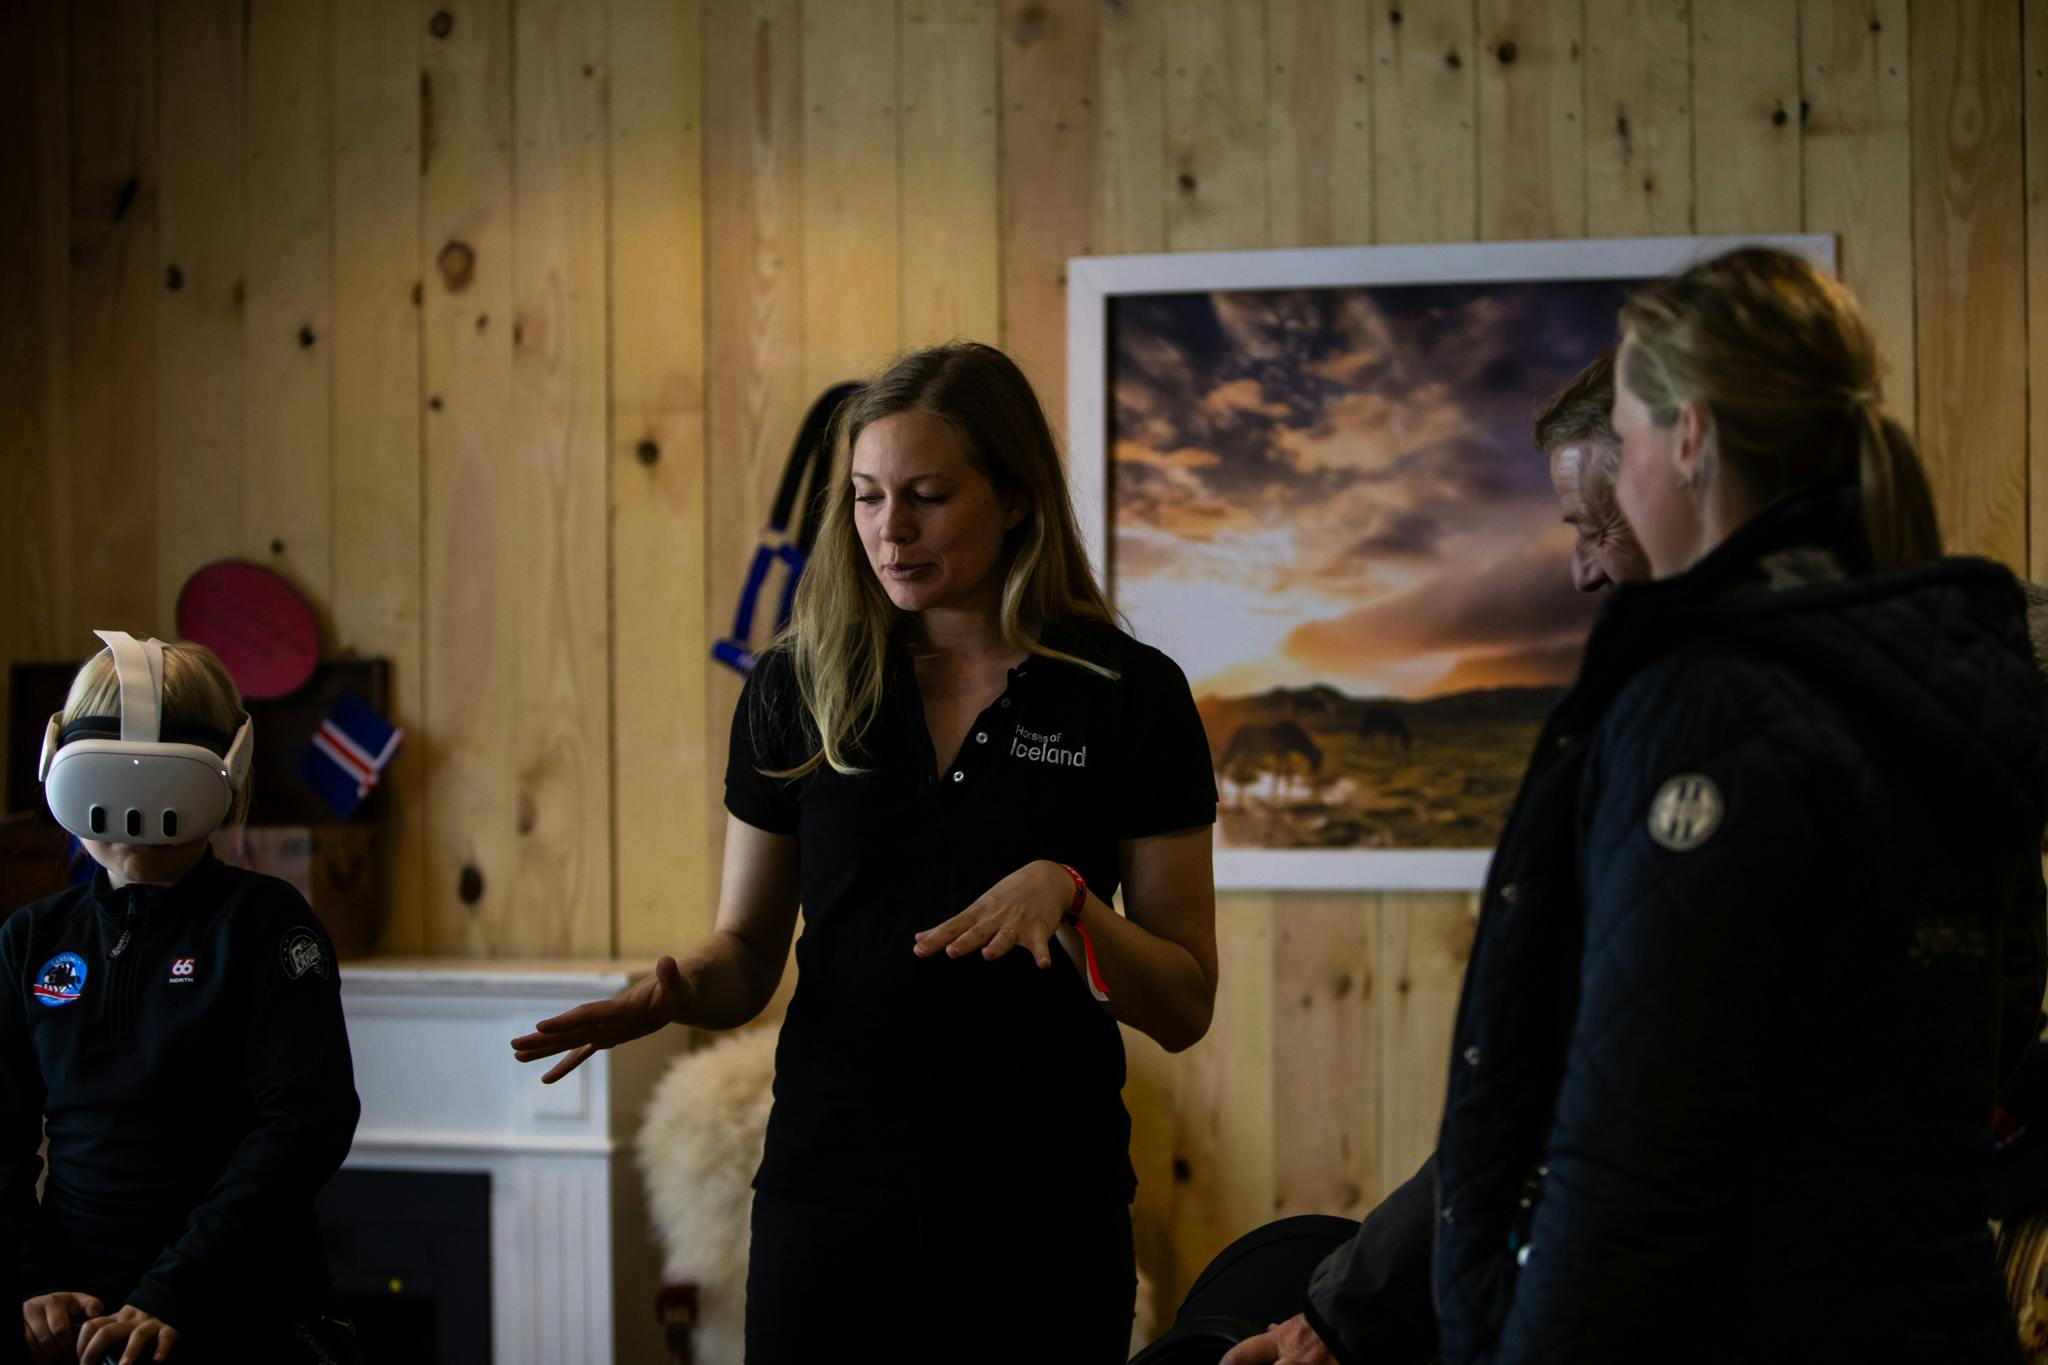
x=488 y=322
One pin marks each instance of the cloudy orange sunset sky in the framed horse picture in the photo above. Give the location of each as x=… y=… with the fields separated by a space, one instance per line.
x=1338 y=486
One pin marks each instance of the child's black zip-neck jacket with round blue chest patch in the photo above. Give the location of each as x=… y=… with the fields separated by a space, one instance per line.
x=187 y=1049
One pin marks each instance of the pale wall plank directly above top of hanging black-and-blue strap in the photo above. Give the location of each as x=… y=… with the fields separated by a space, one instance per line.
x=851 y=273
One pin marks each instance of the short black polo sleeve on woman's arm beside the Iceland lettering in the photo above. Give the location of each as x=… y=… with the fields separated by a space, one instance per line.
x=1166 y=779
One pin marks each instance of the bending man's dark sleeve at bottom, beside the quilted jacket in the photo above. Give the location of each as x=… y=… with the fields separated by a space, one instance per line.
x=1371 y=1298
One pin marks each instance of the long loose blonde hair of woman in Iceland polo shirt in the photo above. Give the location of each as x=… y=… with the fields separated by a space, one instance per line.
x=843 y=621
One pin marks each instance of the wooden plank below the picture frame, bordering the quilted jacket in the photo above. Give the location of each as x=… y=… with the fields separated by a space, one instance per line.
x=1424 y=944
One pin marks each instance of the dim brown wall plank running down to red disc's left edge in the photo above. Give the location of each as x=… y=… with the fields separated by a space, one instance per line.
x=200 y=398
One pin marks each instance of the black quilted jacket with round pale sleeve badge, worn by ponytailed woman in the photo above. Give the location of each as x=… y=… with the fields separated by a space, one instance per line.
x=1762 y=930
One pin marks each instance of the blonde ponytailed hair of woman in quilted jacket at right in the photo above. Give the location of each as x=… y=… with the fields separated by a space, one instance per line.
x=1783 y=359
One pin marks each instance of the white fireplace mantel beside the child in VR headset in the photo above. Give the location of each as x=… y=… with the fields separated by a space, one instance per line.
x=574 y=1272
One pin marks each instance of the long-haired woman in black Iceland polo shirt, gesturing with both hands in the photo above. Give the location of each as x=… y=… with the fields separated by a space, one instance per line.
x=953 y=760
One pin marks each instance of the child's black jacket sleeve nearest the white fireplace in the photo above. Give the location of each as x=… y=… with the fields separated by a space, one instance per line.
x=302 y=1084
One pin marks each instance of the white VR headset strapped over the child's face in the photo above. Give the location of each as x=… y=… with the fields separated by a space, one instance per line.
x=134 y=781
